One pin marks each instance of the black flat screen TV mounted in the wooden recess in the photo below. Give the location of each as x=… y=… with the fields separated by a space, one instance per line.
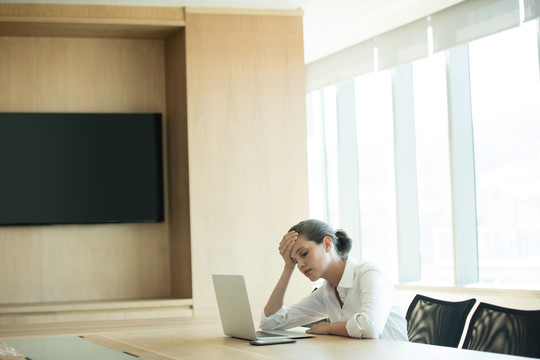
x=80 y=168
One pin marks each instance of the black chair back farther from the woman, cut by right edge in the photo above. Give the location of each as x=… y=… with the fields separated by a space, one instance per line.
x=504 y=330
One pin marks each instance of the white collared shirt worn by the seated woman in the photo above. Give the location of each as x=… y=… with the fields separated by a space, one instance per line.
x=370 y=305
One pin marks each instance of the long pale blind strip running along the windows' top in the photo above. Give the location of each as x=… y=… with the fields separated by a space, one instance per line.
x=451 y=27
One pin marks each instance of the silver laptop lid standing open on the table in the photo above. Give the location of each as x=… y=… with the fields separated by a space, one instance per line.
x=233 y=304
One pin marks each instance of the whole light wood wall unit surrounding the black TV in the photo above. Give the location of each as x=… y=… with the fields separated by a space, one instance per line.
x=230 y=84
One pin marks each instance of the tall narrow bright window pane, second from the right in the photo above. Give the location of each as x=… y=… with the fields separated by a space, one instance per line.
x=433 y=170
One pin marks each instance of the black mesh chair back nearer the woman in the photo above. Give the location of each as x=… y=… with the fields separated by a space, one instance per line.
x=437 y=322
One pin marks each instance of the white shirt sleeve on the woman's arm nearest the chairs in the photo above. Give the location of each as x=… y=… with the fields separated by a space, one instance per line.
x=375 y=306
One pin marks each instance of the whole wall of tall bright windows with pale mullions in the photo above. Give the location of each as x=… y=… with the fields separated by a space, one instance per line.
x=503 y=181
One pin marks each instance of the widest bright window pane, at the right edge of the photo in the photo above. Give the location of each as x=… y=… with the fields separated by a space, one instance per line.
x=505 y=93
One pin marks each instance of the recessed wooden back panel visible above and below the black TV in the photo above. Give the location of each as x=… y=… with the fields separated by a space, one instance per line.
x=85 y=262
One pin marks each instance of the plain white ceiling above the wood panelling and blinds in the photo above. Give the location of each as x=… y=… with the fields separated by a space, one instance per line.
x=329 y=25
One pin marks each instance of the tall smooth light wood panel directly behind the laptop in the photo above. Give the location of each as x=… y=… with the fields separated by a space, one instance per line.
x=247 y=148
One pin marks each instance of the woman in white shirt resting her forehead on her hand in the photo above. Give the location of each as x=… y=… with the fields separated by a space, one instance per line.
x=358 y=300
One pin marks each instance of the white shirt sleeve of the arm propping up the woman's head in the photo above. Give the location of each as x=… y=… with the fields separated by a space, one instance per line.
x=307 y=310
